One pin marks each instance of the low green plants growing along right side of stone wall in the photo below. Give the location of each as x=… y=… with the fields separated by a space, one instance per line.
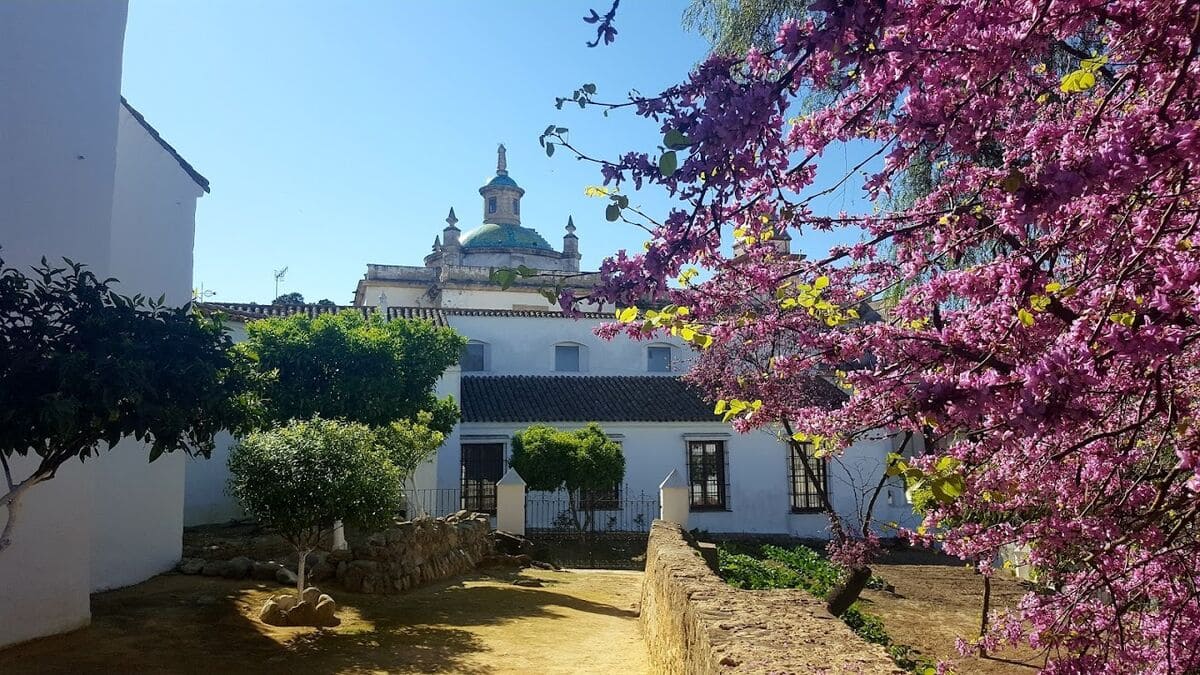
x=761 y=568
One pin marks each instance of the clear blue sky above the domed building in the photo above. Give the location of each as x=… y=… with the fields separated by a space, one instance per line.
x=340 y=134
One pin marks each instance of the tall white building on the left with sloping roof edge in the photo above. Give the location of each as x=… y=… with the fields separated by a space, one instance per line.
x=85 y=176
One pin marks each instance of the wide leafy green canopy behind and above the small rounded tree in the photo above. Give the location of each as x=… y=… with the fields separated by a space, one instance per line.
x=353 y=368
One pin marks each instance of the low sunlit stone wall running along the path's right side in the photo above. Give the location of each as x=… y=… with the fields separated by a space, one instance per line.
x=694 y=623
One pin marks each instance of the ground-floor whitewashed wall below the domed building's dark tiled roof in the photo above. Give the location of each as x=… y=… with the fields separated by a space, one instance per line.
x=758 y=475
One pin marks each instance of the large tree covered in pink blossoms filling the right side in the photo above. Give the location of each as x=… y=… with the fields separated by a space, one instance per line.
x=1042 y=336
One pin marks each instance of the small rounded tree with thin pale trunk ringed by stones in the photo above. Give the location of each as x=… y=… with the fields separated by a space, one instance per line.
x=301 y=479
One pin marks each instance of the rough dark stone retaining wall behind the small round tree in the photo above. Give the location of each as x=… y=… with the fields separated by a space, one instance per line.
x=413 y=553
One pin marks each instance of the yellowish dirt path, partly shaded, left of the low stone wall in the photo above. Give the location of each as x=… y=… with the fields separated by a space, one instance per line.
x=577 y=623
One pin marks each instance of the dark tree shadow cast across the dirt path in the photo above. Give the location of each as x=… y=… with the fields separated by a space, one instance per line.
x=176 y=624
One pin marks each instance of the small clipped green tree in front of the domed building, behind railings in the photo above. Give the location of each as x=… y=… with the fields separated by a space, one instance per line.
x=577 y=462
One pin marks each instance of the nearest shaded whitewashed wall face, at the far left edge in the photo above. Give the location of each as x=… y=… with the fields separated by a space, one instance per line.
x=61 y=64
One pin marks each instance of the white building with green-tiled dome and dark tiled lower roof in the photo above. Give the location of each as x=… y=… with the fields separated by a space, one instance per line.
x=527 y=363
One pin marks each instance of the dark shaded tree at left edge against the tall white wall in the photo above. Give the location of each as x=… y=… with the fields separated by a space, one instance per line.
x=82 y=368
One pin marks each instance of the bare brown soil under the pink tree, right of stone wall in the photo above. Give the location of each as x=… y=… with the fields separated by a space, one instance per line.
x=938 y=600
